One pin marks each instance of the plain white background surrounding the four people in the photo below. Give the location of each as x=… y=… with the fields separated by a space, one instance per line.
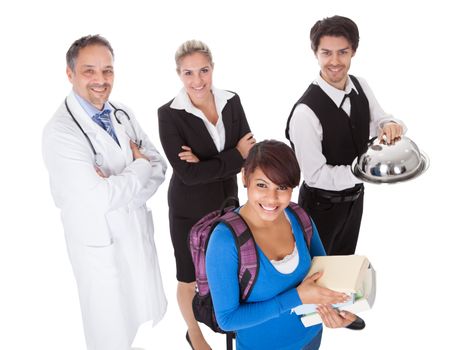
x=261 y=51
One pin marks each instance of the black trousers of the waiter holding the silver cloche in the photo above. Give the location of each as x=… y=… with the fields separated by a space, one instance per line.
x=338 y=223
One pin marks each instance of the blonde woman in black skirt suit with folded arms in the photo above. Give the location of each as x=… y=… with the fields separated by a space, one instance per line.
x=206 y=138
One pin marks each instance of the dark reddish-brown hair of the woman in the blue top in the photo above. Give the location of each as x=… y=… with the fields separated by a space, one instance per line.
x=276 y=160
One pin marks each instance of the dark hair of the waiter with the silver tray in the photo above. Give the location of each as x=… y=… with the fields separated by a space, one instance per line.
x=335 y=26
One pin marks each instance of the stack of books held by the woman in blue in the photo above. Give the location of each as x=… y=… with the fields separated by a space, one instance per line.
x=351 y=274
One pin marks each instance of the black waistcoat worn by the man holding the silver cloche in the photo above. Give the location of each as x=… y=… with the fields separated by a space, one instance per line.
x=344 y=137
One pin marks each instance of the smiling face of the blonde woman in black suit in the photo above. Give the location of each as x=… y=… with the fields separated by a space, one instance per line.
x=195 y=72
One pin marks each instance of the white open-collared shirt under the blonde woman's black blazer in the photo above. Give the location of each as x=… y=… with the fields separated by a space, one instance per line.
x=221 y=97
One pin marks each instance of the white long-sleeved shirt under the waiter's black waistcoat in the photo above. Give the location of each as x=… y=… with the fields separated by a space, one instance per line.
x=306 y=134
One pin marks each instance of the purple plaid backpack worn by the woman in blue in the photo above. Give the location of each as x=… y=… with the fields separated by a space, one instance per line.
x=246 y=247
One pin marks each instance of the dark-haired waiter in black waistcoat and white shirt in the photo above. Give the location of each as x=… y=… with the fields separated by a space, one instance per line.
x=328 y=128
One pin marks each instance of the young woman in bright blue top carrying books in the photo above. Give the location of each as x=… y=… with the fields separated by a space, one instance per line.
x=265 y=320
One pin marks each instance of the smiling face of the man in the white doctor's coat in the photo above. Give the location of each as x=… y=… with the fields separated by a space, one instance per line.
x=92 y=76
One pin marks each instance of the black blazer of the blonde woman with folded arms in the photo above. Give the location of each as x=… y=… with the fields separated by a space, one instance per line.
x=198 y=188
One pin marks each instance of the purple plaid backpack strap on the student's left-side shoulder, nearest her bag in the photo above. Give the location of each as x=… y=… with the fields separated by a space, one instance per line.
x=247 y=252
